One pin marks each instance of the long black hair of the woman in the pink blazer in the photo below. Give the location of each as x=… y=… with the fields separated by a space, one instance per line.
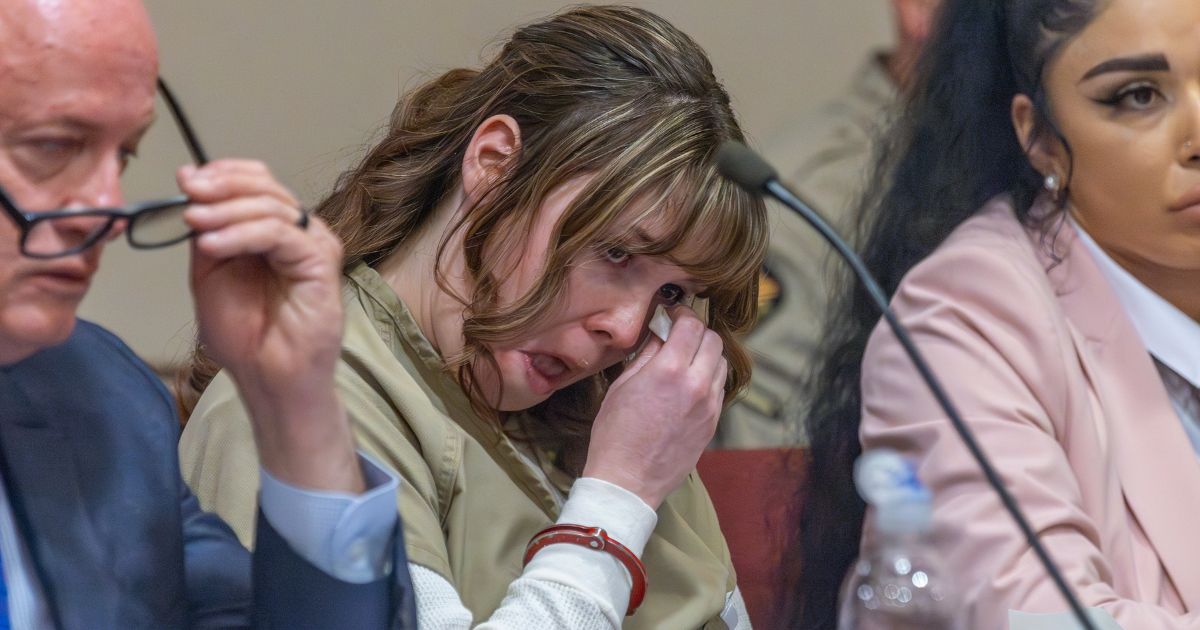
x=952 y=151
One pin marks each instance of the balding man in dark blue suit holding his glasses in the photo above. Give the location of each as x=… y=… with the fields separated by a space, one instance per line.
x=97 y=527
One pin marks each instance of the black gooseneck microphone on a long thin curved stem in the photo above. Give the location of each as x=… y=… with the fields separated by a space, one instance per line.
x=741 y=165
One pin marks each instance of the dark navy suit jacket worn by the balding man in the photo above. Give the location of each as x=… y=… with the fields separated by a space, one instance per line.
x=88 y=455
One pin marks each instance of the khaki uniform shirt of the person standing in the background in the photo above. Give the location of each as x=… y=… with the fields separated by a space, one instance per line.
x=827 y=159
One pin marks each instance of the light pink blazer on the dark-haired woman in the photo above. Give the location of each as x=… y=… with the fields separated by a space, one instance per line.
x=1051 y=374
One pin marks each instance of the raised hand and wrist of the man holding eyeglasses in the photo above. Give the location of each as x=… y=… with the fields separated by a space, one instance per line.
x=268 y=307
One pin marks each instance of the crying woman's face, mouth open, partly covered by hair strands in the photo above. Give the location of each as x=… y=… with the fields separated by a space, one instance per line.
x=602 y=319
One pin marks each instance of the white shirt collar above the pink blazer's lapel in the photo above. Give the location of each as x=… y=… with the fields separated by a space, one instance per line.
x=1169 y=334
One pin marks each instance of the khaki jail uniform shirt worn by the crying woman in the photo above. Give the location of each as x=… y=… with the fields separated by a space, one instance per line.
x=469 y=500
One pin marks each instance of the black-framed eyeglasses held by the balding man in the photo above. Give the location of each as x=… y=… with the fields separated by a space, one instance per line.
x=28 y=221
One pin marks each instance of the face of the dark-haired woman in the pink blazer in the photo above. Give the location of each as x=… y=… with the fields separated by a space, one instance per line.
x=1126 y=95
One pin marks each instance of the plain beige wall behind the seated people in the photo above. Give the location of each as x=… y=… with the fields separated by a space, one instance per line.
x=304 y=85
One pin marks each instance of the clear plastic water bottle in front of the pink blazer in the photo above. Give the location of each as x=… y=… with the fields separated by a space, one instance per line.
x=899 y=583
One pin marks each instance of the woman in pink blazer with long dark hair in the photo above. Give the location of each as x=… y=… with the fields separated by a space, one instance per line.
x=1040 y=235
